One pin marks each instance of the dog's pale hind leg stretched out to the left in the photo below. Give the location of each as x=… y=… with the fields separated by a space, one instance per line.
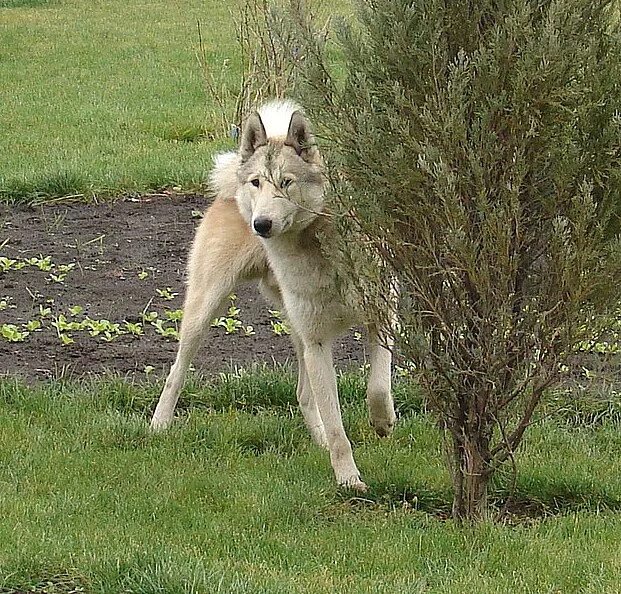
x=206 y=296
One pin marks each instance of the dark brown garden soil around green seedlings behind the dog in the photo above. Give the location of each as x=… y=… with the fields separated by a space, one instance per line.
x=110 y=245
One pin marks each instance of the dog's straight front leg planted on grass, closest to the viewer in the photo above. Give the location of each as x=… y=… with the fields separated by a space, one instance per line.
x=322 y=378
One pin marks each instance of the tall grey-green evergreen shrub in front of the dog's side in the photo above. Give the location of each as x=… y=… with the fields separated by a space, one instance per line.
x=476 y=147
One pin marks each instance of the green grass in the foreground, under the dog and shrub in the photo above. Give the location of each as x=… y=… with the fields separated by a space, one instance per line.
x=235 y=498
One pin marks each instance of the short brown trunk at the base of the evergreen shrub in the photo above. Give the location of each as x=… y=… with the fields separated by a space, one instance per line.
x=470 y=468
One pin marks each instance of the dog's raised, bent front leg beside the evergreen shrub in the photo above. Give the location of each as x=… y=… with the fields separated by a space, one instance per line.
x=379 y=397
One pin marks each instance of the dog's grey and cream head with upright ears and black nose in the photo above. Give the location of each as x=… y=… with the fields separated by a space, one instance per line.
x=281 y=176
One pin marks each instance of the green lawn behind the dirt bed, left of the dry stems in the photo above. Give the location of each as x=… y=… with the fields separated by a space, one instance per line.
x=105 y=97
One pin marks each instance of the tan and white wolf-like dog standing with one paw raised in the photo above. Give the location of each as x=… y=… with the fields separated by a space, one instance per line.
x=265 y=224
